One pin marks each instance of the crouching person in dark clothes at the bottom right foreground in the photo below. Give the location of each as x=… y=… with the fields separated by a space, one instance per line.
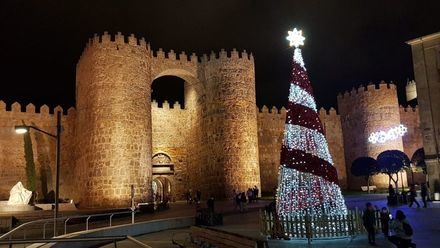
x=402 y=231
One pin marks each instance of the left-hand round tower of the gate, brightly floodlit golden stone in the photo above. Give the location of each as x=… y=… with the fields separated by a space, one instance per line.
x=113 y=97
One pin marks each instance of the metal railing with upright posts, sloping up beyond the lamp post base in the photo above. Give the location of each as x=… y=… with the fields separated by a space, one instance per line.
x=44 y=222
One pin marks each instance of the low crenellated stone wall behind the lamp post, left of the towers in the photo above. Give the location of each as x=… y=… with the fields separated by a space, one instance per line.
x=12 y=154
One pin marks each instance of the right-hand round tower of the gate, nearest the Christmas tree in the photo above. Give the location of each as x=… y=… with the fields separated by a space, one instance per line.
x=231 y=140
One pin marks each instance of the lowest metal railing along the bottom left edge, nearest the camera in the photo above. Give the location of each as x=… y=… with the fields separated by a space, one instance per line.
x=114 y=239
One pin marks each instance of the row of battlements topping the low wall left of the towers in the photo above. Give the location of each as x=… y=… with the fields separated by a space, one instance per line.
x=30 y=109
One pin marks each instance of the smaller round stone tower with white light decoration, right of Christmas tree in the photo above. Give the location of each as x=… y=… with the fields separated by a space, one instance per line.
x=365 y=110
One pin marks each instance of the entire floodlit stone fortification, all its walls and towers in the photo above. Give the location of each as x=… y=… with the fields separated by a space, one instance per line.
x=218 y=143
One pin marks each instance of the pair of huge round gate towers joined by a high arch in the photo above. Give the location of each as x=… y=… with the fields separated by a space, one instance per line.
x=114 y=121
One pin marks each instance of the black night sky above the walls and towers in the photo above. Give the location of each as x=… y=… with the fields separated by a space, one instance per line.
x=347 y=42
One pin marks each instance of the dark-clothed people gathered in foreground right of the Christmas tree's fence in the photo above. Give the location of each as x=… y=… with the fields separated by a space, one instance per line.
x=399 y=226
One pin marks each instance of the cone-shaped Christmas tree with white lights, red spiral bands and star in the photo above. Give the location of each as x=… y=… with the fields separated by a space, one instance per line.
x=308 y=181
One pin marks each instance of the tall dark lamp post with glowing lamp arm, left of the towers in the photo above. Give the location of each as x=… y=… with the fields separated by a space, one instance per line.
x=22 y=129
